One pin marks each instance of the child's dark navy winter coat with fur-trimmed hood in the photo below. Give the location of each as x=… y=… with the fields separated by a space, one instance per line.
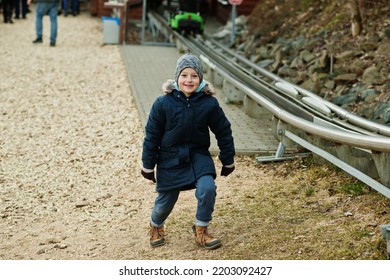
x=177 y=138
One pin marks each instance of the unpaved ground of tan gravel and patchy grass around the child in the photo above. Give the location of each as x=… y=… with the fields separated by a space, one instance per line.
x=70 y=187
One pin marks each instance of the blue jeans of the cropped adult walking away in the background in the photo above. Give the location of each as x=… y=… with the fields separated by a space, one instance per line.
x=42 y=10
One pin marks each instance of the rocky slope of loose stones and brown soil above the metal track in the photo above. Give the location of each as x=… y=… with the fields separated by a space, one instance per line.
x=310 y=43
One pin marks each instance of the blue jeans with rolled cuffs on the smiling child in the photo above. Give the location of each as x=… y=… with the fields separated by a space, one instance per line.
x=205 y=194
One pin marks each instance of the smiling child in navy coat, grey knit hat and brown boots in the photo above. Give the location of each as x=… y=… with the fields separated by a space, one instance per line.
x=177 y=142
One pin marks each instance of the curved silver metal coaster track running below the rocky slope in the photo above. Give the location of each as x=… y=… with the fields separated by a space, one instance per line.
x=356 y=145
